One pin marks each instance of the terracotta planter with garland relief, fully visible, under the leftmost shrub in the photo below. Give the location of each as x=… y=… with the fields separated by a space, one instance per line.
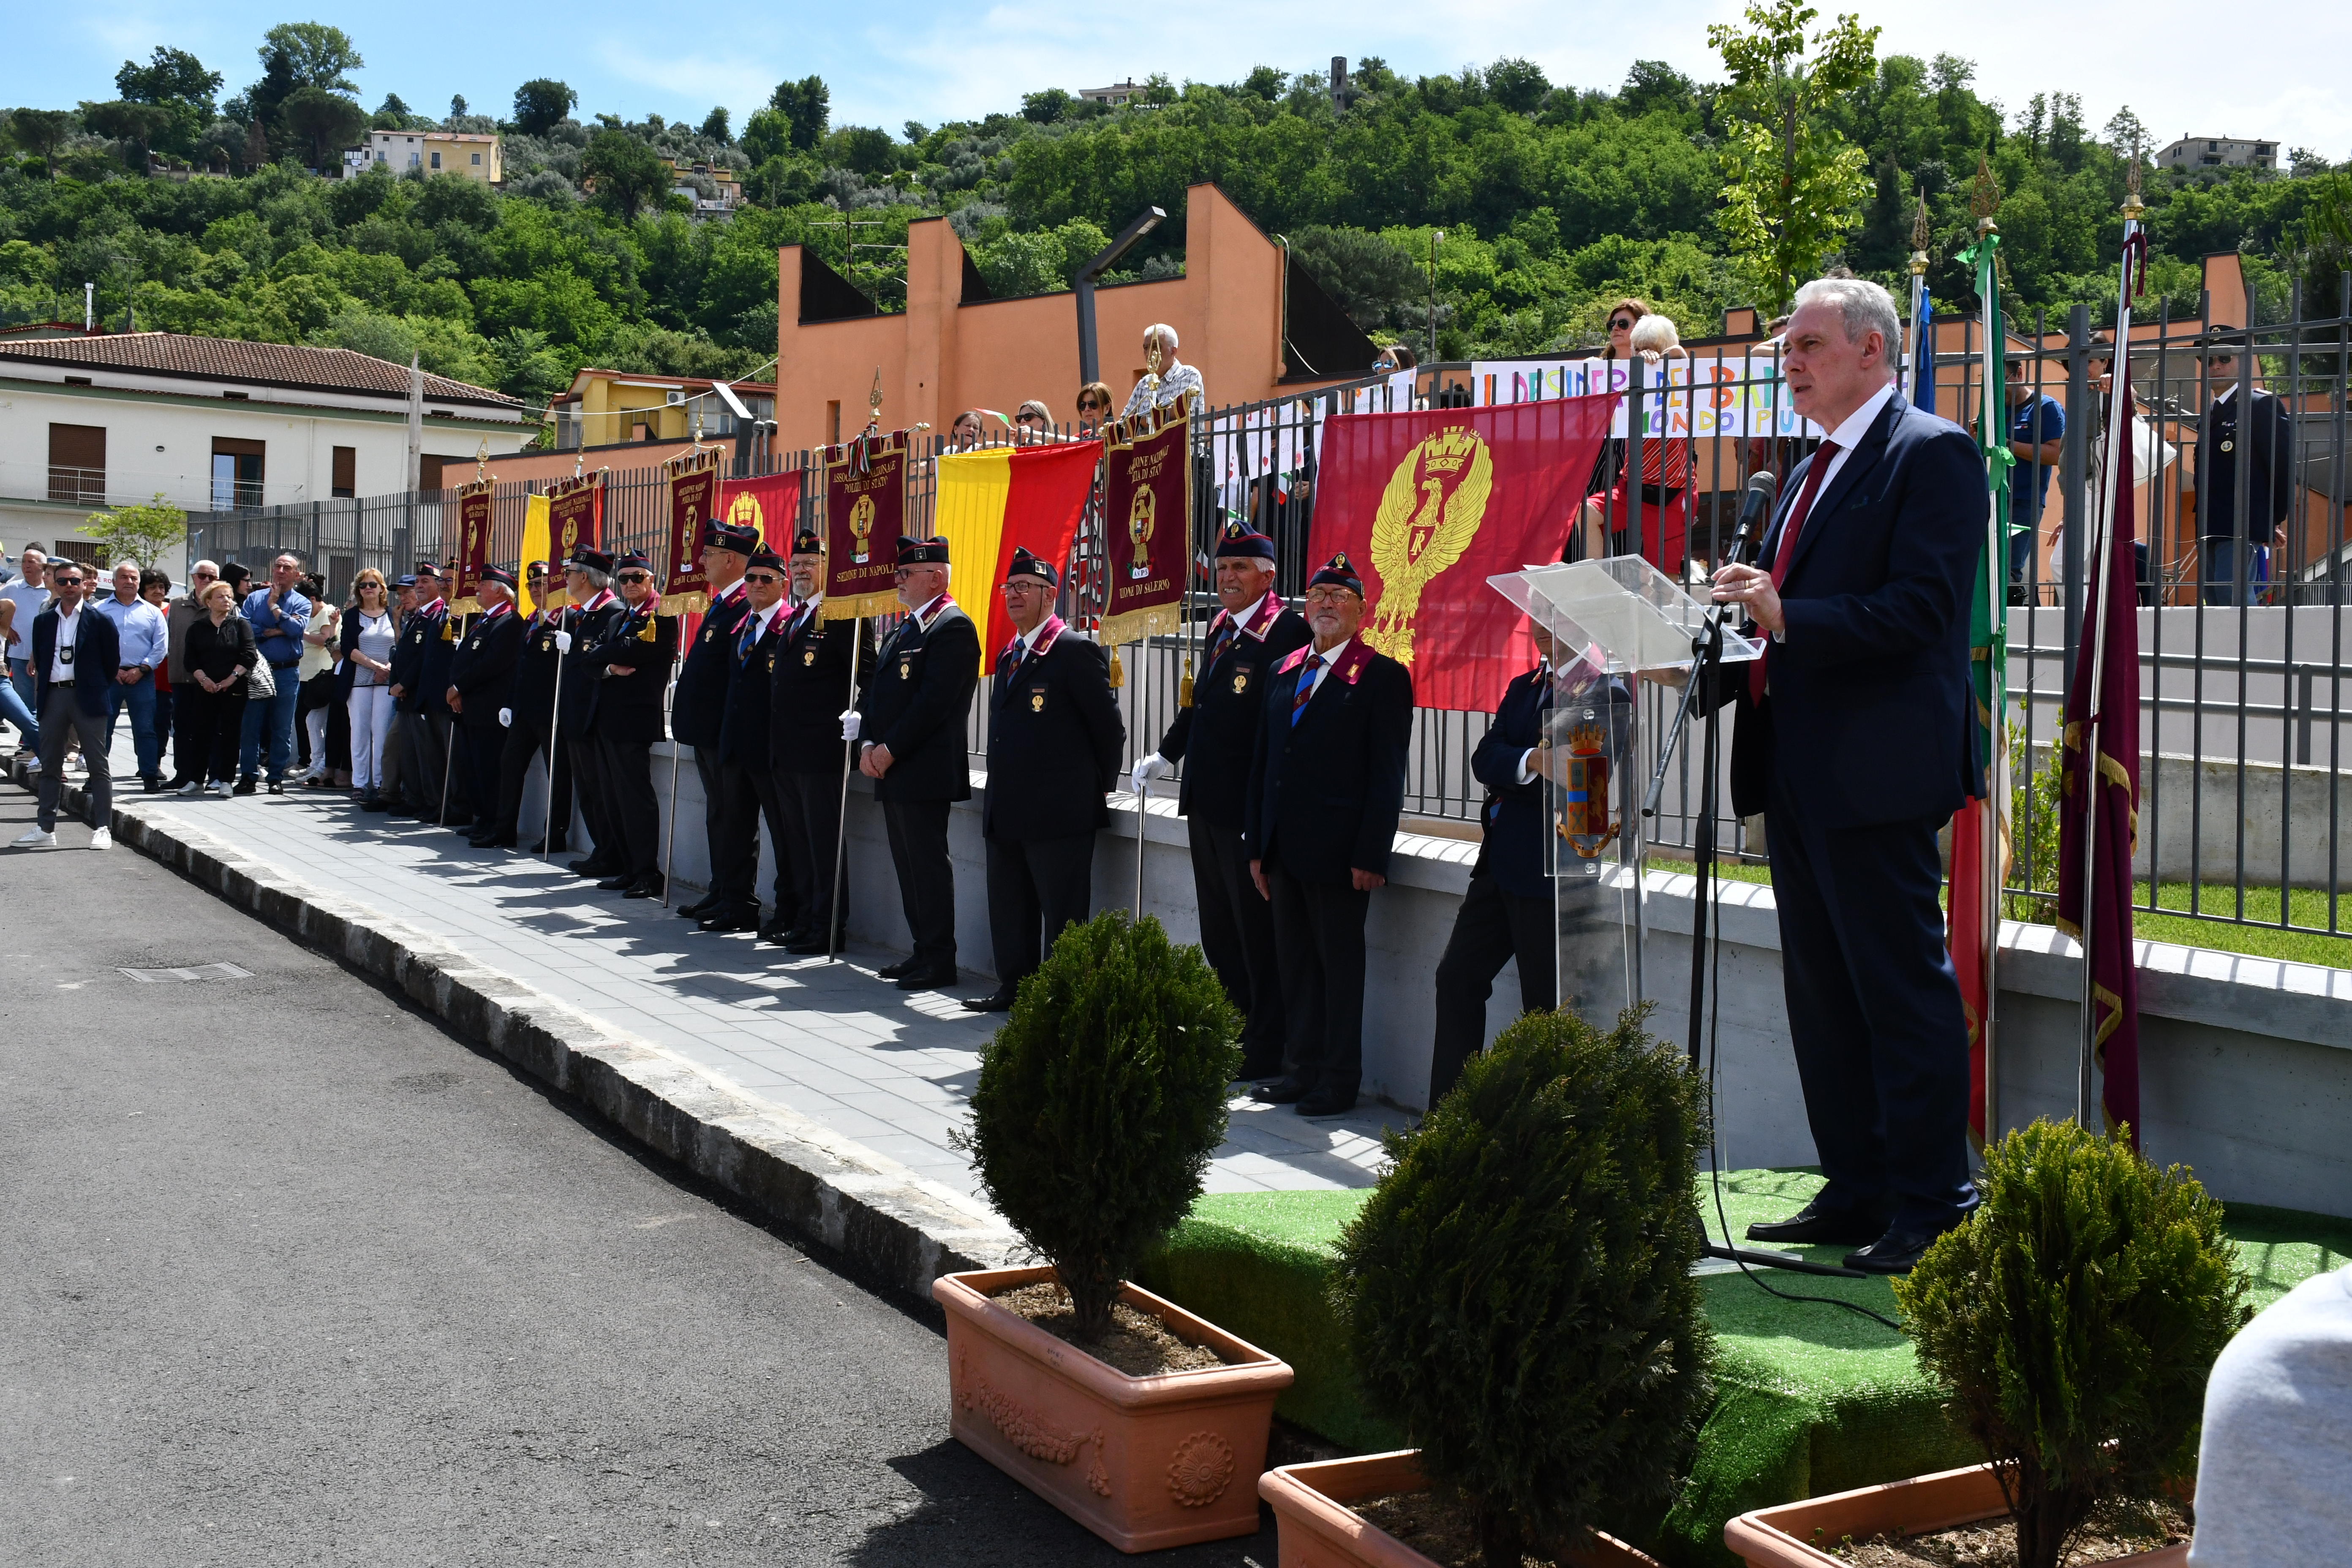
x=1140 y=1461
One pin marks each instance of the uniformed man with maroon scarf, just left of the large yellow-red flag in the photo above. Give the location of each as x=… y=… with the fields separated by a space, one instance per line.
x=909 y=728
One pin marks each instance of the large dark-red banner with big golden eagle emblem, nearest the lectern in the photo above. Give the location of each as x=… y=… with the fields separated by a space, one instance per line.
x=1429 y=504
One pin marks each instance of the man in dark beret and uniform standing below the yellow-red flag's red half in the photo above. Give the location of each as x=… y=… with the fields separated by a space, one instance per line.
x=1055 y=739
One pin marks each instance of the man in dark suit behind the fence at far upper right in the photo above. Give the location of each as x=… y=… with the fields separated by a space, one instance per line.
x=2261 y=434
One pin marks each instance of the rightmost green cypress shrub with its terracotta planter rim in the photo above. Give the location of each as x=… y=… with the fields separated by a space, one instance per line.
x=2073 y=1322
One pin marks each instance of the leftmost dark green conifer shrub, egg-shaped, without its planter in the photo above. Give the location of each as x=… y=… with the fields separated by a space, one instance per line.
x=1102 y=1101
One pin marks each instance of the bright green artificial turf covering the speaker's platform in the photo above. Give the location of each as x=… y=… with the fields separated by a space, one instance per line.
x=1810 y=1398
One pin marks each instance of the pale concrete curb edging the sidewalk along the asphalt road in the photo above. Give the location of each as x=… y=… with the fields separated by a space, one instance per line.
x=886 y=1224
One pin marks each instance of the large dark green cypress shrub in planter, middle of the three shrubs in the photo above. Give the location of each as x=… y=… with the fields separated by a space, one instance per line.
x=1518 y=1299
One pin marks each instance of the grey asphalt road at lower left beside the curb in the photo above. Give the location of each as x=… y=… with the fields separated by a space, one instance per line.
x=293 y=1275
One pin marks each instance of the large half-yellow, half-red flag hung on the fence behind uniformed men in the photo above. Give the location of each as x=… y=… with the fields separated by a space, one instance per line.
x=1010 y=500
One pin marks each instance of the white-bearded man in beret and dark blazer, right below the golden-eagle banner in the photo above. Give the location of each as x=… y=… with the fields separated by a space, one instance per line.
x=1325 y=793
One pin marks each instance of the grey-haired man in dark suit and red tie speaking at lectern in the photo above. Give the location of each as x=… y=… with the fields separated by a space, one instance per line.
x=1857 y=742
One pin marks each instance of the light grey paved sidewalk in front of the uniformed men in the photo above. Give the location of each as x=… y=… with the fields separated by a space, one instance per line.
x=831 y=1043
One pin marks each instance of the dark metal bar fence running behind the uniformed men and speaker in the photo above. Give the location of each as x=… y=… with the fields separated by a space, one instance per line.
x=2243 y=674
